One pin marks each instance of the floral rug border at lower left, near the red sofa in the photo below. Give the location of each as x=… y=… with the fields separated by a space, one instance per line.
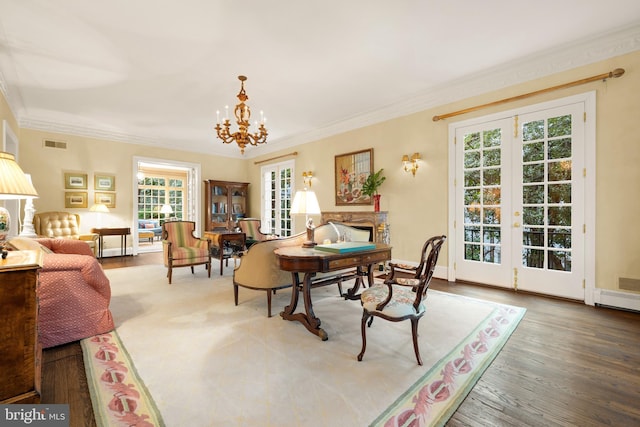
x=118 y=394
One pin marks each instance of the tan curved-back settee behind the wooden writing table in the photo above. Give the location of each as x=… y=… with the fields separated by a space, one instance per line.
x=259 y=268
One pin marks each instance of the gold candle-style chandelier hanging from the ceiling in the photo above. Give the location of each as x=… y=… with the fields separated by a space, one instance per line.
x=243 y=114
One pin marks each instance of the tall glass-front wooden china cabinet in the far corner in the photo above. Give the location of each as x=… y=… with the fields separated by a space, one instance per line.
x=224 y=203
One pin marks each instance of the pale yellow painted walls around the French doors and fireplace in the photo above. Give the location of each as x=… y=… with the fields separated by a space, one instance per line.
x=417 y=206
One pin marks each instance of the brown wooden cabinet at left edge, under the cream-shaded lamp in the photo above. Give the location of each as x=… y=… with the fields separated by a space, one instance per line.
x=20 y=352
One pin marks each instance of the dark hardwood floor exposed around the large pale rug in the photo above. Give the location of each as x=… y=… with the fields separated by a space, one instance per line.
x=567 y=364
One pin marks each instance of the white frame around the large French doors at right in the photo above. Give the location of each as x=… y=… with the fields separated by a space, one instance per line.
x=589 y=100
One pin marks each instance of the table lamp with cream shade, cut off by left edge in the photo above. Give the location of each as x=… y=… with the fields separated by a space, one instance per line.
x=13 y=185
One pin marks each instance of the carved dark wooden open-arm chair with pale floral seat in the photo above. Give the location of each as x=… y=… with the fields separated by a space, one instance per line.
x=400 y=298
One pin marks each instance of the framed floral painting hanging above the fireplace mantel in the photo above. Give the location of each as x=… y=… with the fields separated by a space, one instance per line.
x=352 y=169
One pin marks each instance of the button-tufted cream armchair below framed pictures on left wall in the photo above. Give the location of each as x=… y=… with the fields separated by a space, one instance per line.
x=63 y=225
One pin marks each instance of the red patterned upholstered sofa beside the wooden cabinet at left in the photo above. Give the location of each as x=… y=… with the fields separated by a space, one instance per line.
x=74 y=292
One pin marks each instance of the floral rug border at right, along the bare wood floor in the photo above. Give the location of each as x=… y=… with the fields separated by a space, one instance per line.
x=433 y=399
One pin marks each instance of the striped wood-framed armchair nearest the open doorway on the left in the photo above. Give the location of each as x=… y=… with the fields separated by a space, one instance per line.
x=182 y=249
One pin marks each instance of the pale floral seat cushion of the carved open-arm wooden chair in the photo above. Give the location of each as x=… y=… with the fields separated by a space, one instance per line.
x=401 y=303
